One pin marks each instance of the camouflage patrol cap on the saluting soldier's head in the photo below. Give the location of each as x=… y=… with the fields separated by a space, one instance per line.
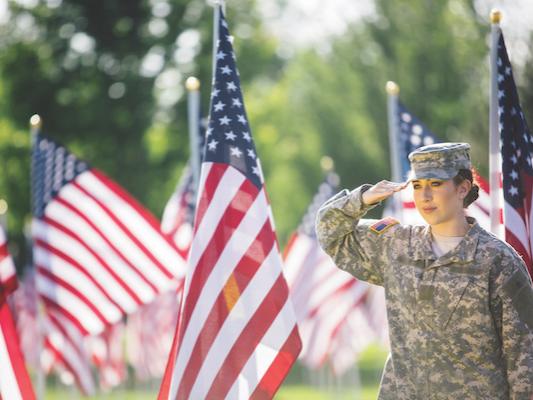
x=440 y=160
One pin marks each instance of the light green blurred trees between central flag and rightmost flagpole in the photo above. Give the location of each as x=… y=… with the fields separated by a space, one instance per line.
x=333 y=102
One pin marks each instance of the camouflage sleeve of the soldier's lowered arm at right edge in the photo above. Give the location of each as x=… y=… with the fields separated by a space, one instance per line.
x=512 y=307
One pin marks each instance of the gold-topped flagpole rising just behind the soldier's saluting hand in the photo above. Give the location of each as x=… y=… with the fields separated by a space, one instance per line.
x=393 y=91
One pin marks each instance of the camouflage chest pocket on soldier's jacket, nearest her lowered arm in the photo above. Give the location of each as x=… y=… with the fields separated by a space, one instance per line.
x=458 y=297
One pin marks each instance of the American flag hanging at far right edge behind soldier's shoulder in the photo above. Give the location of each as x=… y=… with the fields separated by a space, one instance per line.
x=516 y=144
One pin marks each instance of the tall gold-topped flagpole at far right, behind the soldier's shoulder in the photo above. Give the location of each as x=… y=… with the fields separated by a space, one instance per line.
x=494 y=134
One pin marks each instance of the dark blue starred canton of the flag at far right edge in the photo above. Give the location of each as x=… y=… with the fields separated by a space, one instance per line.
x=516 y=140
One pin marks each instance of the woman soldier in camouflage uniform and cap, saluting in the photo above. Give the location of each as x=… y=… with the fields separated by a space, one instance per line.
x=459 y=300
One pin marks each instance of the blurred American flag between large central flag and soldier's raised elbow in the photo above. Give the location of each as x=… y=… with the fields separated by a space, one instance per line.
x=323 y=296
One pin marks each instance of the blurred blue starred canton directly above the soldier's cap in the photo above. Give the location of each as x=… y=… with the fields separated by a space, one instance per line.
x=413 y=134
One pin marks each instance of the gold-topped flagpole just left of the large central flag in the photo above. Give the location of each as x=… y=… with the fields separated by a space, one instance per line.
x=193 y=108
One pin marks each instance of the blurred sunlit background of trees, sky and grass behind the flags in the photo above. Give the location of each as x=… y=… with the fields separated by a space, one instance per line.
x=108 y=79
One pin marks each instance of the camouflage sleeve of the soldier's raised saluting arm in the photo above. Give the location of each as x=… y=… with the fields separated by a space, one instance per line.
x=347 y=239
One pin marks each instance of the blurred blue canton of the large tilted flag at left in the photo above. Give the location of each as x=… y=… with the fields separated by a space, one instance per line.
x=52 y=168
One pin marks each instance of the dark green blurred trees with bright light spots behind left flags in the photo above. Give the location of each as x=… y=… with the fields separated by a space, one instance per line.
x=107 y=79
